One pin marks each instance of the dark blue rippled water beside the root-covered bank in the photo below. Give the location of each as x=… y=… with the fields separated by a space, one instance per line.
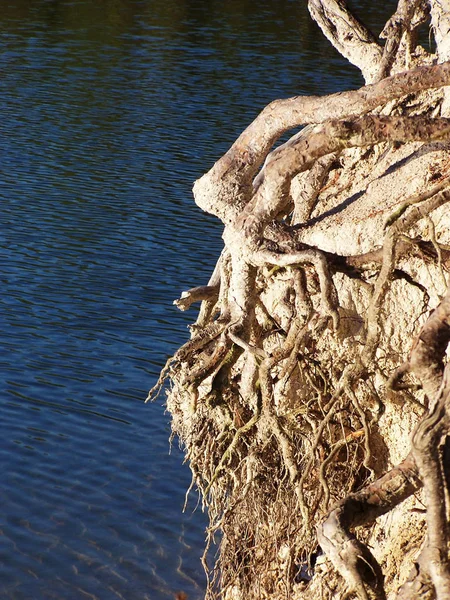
x=109 y=111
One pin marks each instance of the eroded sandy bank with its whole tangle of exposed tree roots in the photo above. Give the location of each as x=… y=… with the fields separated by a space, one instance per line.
x=312 y=398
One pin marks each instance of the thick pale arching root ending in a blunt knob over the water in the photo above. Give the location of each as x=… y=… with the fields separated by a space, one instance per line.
x=227 y=188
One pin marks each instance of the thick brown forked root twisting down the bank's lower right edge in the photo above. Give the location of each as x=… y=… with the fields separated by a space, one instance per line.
x=421 y=467
